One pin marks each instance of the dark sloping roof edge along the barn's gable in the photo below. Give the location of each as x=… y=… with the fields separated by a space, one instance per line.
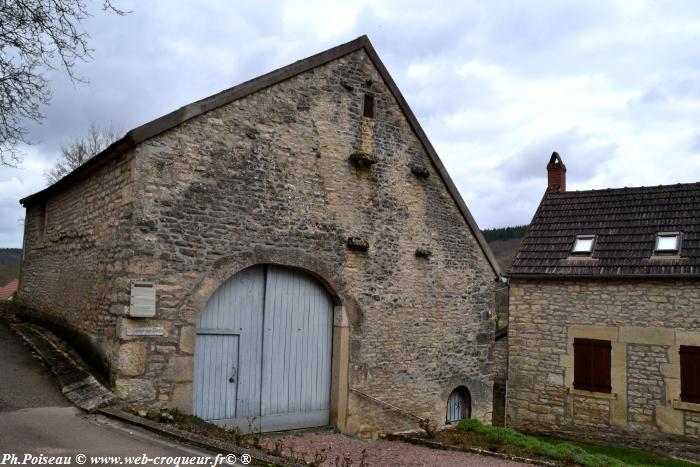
x=184 y=113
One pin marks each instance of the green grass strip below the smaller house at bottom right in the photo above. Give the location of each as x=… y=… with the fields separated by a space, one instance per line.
x=474 y=434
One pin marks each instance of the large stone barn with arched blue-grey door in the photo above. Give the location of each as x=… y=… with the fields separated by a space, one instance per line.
x=287 y=253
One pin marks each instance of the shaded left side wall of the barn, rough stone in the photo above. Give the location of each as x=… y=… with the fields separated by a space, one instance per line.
x=75 y=252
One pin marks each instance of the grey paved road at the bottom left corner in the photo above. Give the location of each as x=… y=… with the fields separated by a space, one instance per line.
x=36 y=419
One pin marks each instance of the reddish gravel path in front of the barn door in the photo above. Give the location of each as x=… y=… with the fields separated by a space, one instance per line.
x=377 y=453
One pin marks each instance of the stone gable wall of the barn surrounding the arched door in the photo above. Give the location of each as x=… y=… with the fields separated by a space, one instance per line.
x=267 y=179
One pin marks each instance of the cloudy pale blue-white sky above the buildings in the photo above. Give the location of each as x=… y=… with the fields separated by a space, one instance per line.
x=614 y=87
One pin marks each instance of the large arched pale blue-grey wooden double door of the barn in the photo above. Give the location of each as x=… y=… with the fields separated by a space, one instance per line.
x=282 y=322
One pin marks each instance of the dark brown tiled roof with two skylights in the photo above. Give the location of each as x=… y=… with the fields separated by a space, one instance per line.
x=625 y=222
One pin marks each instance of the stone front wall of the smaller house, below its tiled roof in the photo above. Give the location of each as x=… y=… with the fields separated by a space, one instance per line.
x=646 y=322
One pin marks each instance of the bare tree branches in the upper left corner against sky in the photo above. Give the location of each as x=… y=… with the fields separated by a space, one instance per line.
x=36 y=36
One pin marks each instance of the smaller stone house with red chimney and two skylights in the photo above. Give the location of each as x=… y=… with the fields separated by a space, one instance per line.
x=604 y=327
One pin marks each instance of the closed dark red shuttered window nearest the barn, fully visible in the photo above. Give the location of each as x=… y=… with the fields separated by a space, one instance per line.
x=592 y=365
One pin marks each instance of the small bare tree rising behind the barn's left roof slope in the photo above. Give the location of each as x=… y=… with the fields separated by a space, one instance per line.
x=81 y=150
